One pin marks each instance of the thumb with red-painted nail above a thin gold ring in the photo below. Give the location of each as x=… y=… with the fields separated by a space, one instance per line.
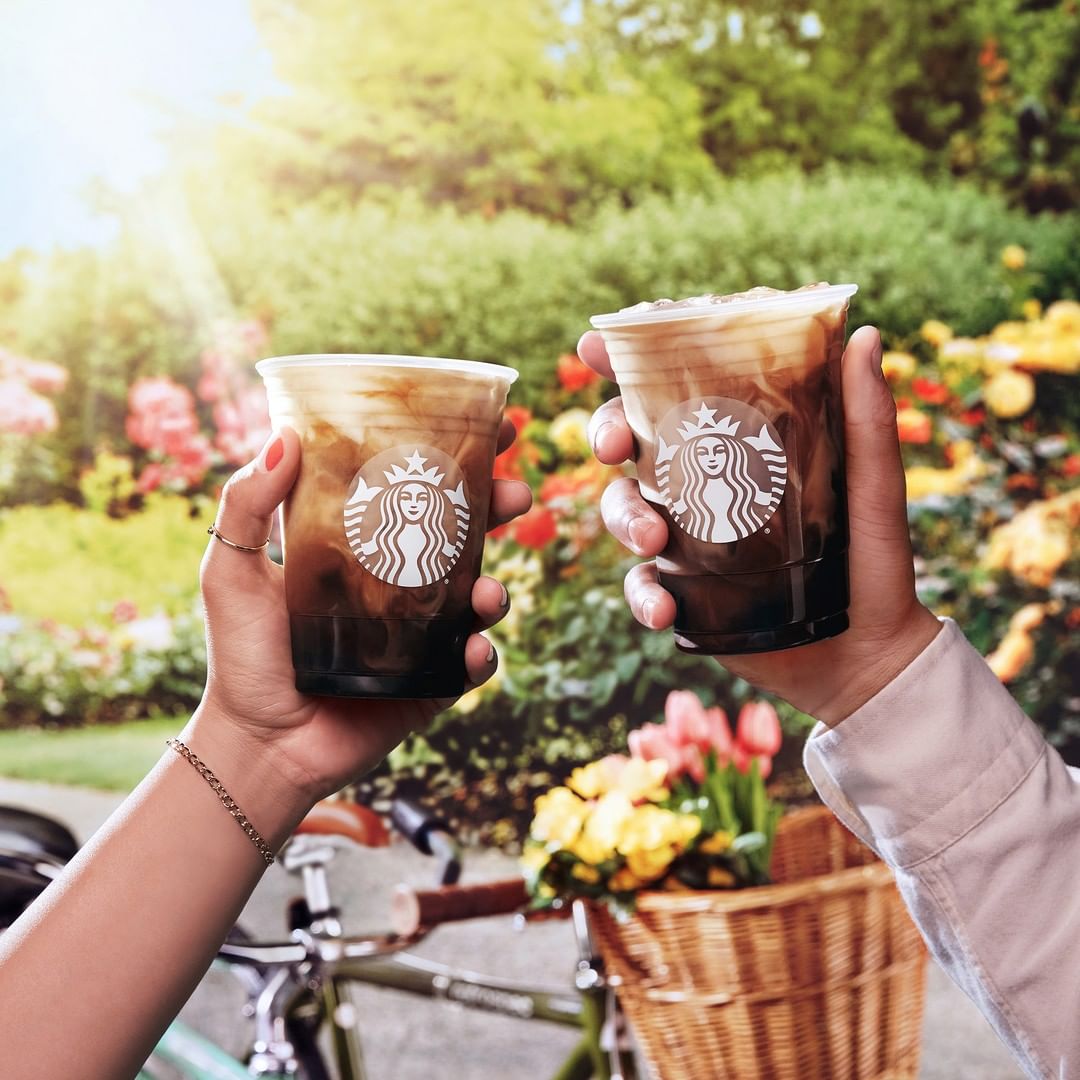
x=254 y=492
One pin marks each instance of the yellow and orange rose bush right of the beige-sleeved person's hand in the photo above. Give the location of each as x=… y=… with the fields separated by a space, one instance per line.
x=991 y=427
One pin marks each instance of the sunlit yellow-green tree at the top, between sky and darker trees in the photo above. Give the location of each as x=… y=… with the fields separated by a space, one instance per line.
x=485 y=105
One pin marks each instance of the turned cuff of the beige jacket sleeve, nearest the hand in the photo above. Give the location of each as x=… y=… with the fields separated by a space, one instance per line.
x=927 y=759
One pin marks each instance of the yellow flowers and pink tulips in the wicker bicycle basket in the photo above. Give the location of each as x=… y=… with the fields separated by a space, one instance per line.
x=687 y=809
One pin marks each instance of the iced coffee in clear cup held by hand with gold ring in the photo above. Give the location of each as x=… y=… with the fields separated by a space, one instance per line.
x=384 y=531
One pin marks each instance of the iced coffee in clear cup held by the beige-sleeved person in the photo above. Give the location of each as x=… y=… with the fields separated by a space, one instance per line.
x=736 y=407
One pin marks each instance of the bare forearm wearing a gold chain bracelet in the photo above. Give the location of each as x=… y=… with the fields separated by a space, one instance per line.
x=115 y=948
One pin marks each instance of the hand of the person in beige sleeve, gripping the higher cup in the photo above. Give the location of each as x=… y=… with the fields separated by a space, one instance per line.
x=889 y=628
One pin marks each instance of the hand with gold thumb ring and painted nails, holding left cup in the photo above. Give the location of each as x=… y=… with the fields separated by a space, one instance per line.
x=251 y=711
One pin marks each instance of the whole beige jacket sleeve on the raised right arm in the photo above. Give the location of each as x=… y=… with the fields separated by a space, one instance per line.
x=946 y=777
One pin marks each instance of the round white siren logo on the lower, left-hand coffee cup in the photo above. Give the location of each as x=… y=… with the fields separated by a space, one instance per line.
x=407 y=516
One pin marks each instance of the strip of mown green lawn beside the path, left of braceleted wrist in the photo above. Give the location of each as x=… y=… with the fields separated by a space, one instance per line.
x=113 y=759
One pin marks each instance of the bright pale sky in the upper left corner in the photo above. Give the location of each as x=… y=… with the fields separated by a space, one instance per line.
x=87 y=88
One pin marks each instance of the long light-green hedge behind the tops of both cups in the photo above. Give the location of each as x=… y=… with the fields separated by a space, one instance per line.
x=514 y=289
